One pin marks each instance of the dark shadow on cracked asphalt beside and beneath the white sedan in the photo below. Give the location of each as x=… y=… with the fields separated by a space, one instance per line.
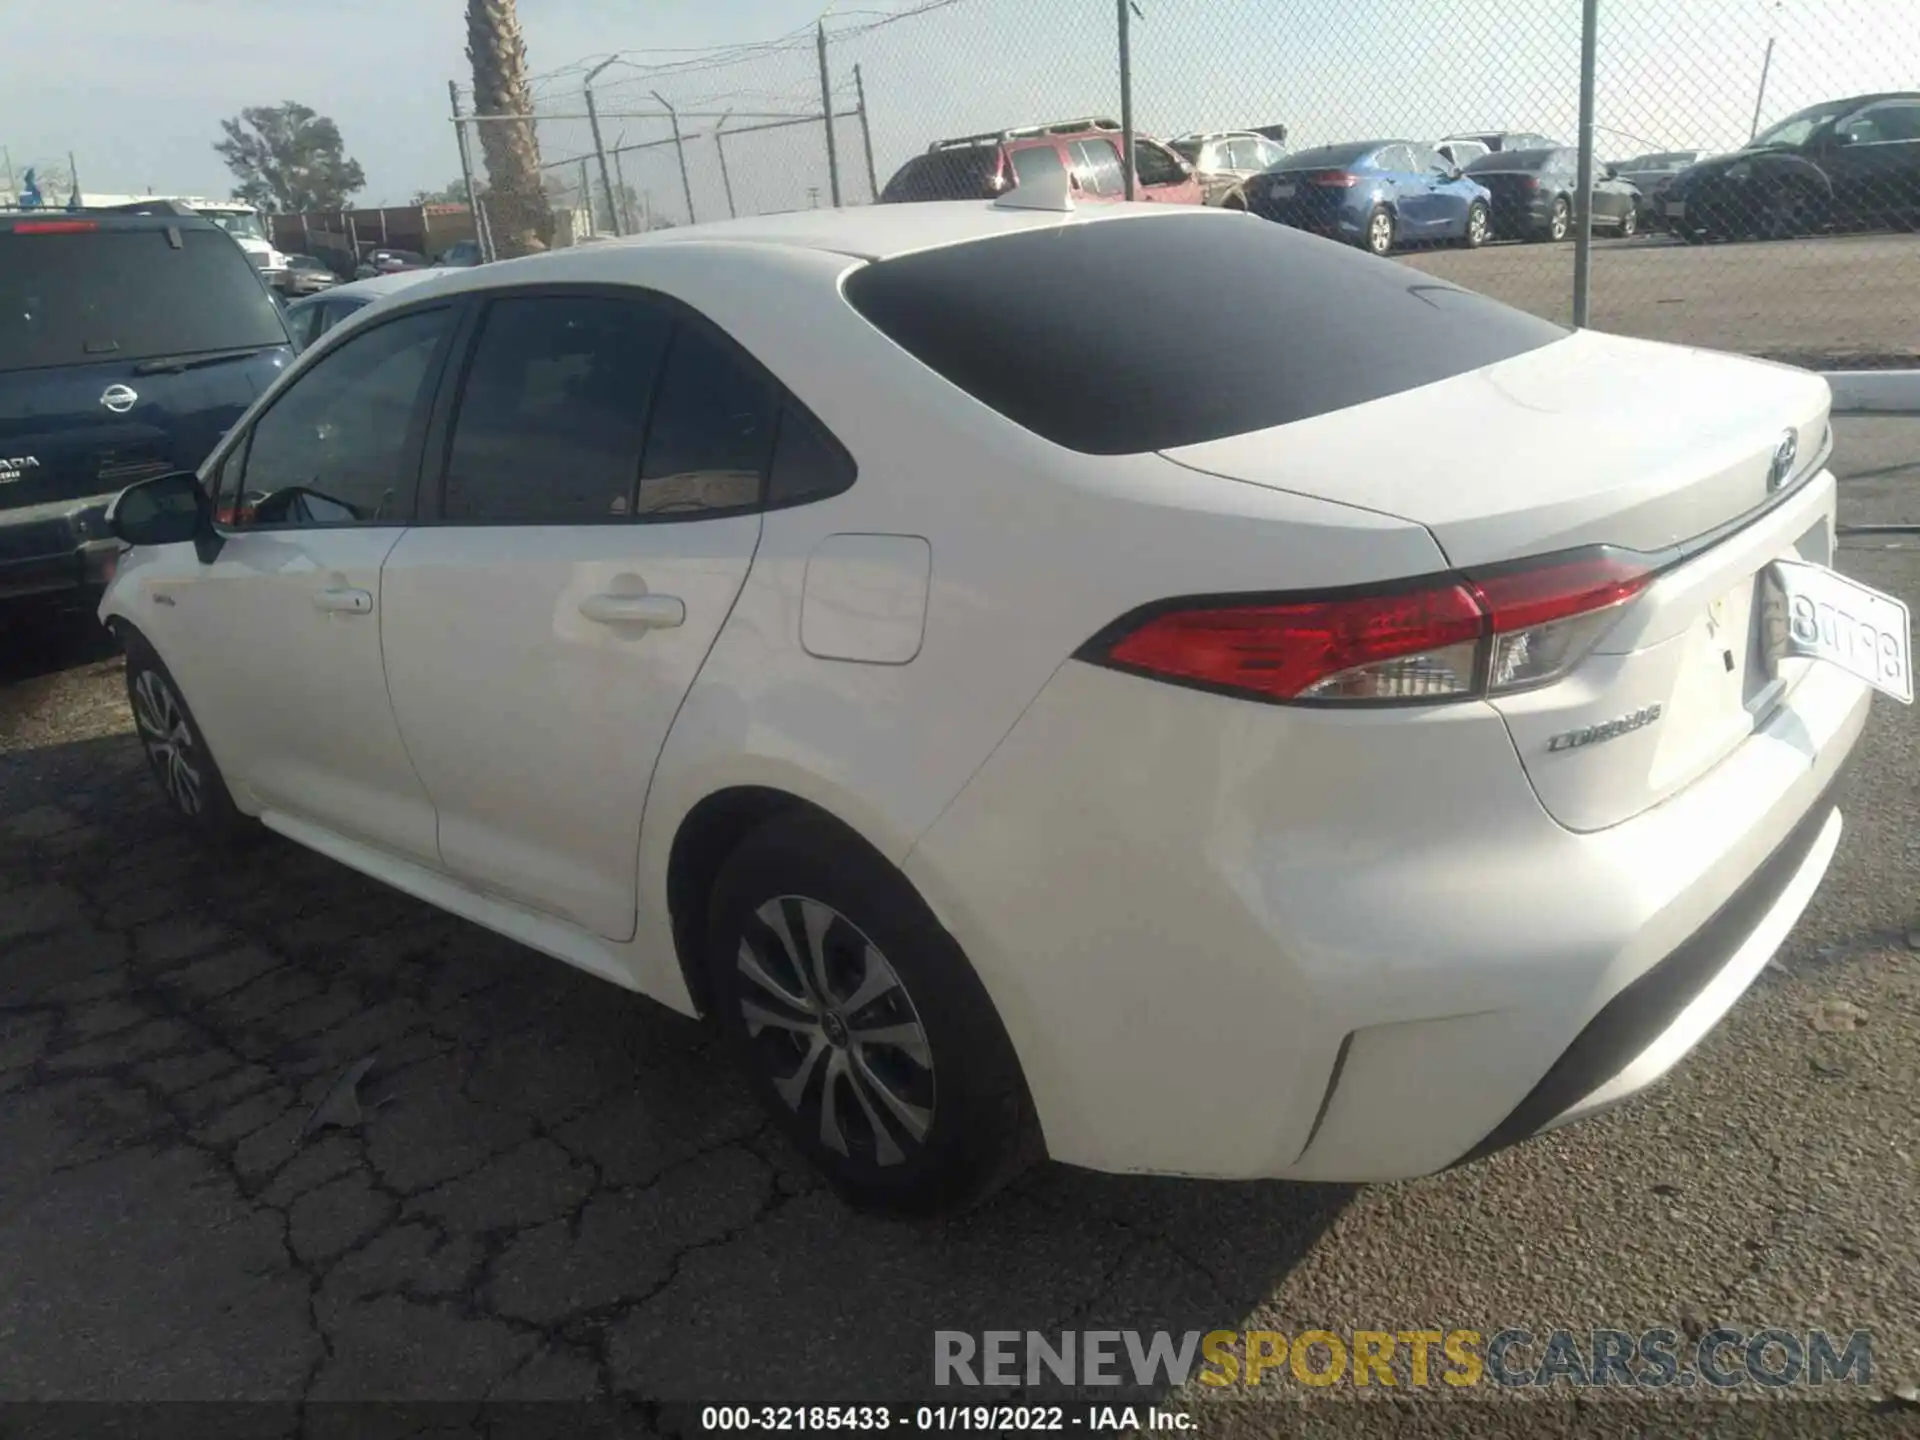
x=554 y=1191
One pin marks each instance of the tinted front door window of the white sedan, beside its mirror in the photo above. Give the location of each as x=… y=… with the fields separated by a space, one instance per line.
x=341 y=444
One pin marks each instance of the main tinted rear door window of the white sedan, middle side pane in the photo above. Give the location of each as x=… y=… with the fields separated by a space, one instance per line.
x=554 y=412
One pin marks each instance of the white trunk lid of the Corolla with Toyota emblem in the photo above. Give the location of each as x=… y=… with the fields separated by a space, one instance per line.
x=1598 y=441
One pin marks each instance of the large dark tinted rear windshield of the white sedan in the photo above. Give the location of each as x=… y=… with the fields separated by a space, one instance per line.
x=1285 y=329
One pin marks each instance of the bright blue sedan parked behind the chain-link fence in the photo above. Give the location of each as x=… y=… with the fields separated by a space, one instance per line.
x=1374 y=193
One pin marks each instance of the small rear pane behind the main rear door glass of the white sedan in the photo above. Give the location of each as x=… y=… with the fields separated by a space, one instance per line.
x=711 y=429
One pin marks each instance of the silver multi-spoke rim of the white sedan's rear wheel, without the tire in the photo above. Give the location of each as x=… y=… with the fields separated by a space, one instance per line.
x=836 y=1030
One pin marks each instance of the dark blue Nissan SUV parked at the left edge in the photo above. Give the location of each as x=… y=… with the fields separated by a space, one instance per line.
x=128 y=347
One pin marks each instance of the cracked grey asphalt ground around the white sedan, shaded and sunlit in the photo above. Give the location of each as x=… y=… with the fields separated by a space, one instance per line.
x=556 y=1191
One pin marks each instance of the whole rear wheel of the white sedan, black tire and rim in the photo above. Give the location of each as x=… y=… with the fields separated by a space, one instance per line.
x=863 y=1028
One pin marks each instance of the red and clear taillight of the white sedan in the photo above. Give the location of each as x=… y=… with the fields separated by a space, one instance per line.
x=1452 y=638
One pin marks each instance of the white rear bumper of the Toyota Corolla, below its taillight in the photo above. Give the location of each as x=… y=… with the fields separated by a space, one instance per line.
x=1251 y=942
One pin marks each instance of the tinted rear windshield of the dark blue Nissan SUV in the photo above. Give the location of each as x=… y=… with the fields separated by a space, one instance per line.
x=110 y=295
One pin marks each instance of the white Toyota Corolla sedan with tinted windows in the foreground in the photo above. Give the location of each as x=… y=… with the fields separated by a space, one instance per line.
x=1318 y=723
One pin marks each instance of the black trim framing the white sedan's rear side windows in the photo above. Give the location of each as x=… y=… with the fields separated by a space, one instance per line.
x=439 y=441
